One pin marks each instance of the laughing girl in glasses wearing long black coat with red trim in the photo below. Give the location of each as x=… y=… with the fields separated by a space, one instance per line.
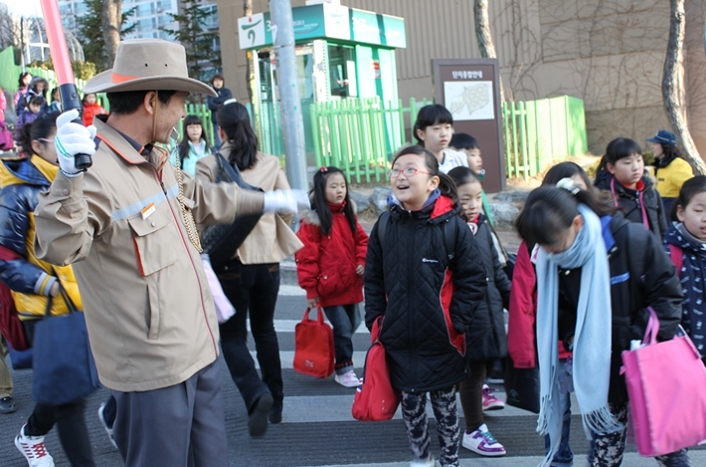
x=424 y=275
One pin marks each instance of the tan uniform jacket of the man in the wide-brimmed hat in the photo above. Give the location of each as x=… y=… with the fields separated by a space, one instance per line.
x=149 y=310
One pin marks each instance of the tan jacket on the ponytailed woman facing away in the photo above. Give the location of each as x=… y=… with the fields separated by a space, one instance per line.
x=271 y=240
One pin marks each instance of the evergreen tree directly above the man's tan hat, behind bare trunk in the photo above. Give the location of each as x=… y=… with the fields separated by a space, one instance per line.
x=91 y=33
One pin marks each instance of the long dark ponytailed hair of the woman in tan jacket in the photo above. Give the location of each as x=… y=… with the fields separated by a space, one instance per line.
x=235 y=121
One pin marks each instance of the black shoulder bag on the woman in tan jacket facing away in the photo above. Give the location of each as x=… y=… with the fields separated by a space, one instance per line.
x=221 y=241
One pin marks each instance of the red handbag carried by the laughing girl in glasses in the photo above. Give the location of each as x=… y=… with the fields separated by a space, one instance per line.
x=375 y=399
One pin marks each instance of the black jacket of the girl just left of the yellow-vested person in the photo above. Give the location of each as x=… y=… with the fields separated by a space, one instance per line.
x=629 y=201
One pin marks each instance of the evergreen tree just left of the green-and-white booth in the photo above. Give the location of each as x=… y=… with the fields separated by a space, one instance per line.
x=196 y=38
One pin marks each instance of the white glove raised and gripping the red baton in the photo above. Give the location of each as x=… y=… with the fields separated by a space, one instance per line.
x=72 y=139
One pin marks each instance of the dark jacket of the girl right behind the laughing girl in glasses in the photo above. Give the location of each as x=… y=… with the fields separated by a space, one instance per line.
x=486 y=338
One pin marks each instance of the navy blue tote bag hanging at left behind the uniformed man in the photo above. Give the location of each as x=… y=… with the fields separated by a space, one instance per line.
x=64 y=369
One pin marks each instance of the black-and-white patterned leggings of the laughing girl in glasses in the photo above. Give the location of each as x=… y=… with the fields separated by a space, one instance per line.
x=443 y=402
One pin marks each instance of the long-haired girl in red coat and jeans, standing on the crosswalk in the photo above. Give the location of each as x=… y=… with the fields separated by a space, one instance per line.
x=331 y=264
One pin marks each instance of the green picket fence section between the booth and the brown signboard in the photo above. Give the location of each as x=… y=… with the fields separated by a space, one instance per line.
x=359 y=136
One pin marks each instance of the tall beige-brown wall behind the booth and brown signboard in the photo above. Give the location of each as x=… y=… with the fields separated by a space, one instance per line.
x=610 y=53
